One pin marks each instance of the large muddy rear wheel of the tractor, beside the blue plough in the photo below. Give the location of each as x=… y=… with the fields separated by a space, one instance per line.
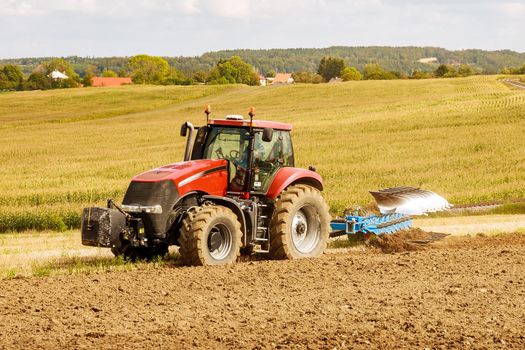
x=300 y=224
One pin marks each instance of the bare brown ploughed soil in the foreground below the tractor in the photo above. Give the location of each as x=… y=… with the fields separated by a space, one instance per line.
x=460 y=292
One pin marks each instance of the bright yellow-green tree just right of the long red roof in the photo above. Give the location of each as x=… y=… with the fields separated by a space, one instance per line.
x=148 y=69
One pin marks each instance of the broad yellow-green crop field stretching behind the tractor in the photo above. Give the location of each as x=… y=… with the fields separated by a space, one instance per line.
x=65 y=149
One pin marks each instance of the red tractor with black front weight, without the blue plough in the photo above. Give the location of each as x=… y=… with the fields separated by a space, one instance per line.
x=237 y=191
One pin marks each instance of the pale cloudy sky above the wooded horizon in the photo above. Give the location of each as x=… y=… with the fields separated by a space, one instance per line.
x=36 y=28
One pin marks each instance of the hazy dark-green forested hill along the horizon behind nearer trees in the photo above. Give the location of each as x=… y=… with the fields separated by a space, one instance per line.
x=400 y=59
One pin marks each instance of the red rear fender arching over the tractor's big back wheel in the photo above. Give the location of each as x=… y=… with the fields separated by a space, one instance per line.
x=289 y=176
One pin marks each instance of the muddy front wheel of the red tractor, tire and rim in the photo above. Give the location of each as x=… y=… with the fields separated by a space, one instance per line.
x=210 y=235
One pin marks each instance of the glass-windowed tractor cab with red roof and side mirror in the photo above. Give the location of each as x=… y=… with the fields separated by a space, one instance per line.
x=255 y=150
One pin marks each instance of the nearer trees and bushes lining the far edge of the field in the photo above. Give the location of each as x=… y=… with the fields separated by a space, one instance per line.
x=144 y=69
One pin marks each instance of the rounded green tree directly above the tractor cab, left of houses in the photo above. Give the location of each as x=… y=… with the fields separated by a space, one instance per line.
x=233 y=71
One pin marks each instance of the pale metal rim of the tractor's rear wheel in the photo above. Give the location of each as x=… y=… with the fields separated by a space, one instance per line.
x=306 y=229
